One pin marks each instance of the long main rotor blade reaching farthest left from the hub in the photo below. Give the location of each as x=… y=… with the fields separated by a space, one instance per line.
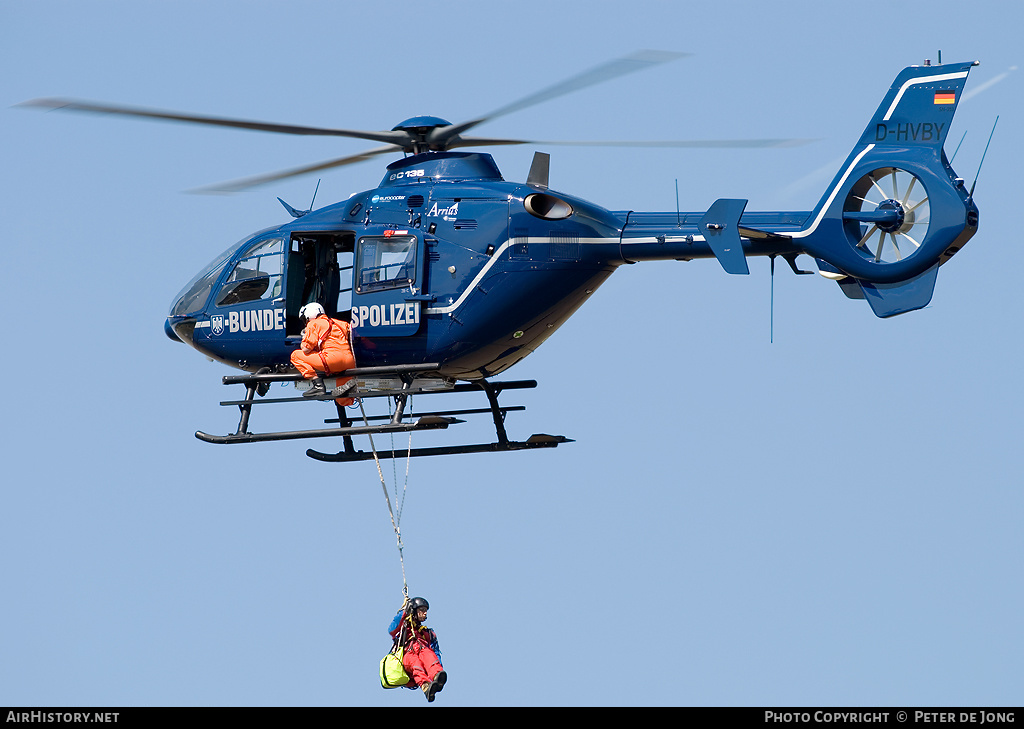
x=94 y=108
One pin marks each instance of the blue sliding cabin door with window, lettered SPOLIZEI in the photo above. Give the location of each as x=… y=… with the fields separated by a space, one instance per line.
x=390 y=281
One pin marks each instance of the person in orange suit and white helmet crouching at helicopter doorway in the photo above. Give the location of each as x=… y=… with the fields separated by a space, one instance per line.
x=326 y=349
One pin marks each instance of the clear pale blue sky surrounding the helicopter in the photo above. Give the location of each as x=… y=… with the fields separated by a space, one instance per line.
x=832 y=519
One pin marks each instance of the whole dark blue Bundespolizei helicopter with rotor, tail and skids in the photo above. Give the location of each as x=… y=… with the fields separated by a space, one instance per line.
x=450 y=275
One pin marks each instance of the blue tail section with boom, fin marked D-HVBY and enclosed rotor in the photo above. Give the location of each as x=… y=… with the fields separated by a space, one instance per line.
x=894 y=212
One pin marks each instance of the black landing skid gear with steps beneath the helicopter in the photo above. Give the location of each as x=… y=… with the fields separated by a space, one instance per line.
x=412 y=382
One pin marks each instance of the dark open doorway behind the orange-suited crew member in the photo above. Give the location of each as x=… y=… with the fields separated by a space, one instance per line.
x=320 y=269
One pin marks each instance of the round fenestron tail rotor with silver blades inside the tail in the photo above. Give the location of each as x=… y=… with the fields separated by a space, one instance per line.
x=887 y=215
